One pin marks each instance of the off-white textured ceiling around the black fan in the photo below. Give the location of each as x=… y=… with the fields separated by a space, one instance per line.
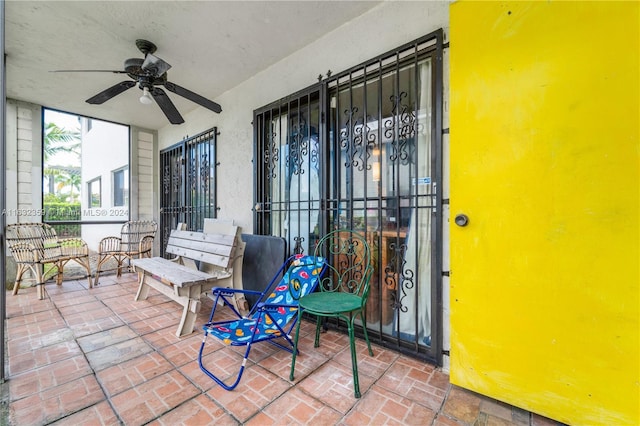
x=211 y=45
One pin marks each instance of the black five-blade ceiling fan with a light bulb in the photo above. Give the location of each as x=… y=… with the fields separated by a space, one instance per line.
x=149 y=74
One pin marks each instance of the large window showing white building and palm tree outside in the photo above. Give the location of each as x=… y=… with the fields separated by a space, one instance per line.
x=79 y=157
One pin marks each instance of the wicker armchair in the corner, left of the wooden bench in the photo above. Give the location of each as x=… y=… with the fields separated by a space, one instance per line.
x=135 y=241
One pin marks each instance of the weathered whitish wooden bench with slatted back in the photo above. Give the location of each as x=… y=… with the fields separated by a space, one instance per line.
x=203 y=261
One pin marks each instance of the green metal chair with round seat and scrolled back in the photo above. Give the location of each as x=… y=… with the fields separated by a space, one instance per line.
x=343 y=290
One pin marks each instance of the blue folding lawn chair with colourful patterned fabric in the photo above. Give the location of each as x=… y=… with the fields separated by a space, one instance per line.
x=271 y=319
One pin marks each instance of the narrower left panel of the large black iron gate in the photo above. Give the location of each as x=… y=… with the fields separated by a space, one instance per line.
x=288 y=170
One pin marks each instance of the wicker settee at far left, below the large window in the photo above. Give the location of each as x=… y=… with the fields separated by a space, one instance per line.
x=34 y=245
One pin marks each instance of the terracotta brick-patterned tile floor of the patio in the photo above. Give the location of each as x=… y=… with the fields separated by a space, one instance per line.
x=94 y=356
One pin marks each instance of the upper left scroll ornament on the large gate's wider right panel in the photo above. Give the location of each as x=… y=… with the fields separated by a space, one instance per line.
x=357 y=140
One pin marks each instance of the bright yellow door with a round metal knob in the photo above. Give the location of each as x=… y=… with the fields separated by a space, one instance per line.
x=544 y=139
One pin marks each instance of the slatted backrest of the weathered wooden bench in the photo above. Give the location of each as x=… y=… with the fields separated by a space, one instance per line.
x=215 y=249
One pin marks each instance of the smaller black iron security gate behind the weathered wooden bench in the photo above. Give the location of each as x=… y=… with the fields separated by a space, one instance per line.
x=188 y=184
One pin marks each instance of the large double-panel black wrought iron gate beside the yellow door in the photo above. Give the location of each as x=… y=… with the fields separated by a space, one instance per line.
x=363 y=150
